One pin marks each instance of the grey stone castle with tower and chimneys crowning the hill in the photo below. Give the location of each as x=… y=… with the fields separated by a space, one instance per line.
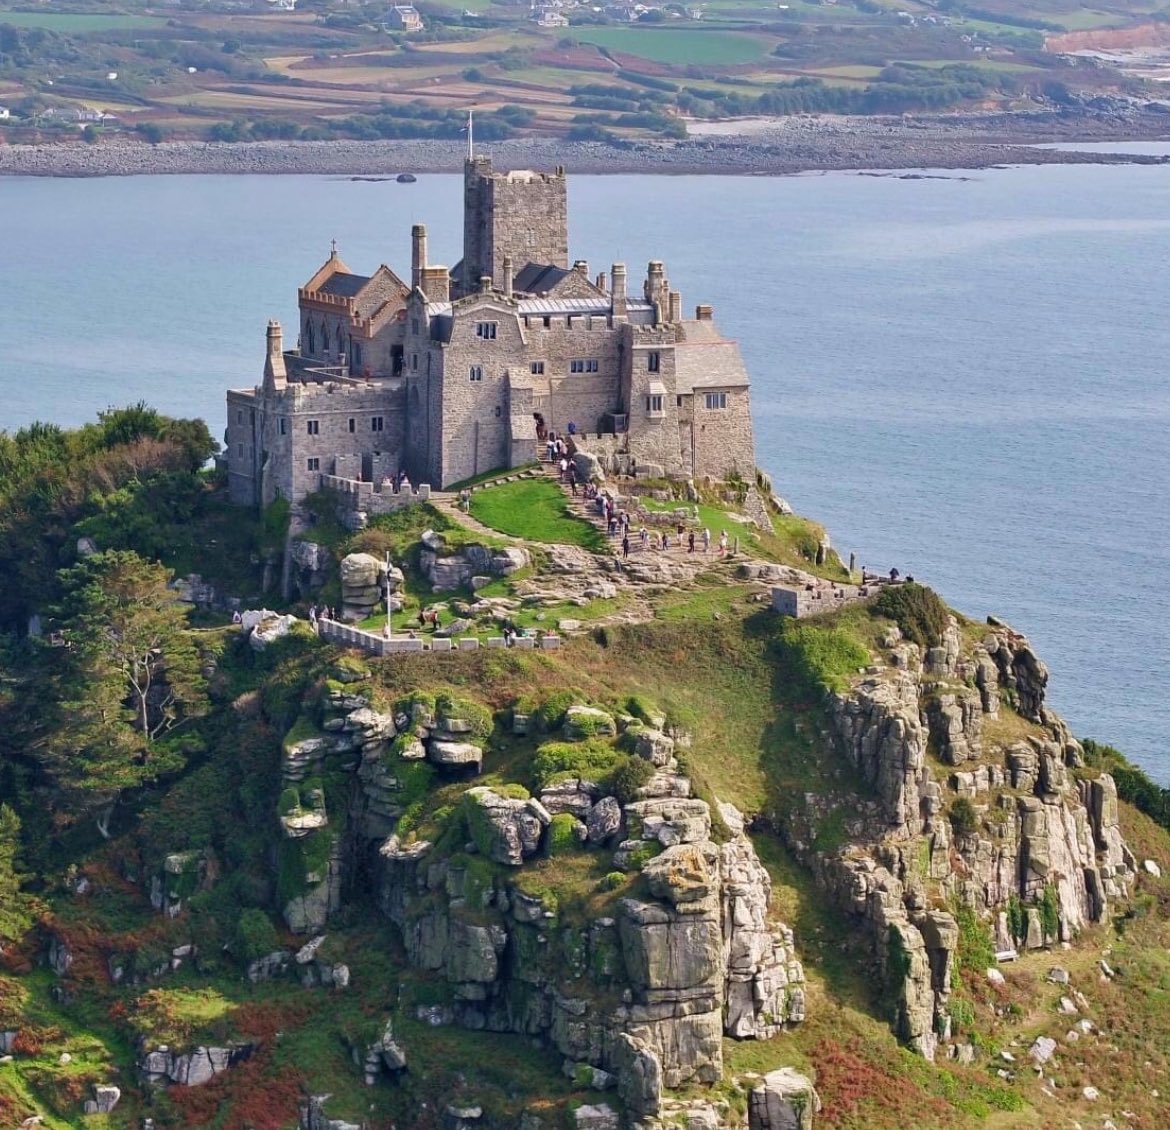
x=464 y=371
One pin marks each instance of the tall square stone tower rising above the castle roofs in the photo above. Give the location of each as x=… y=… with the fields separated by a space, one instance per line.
x=520 y=215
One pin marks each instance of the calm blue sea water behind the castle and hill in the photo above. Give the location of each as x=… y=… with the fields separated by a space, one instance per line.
x=967 y=377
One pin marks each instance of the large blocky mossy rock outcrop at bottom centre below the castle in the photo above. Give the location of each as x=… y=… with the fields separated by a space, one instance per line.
x=637 y=998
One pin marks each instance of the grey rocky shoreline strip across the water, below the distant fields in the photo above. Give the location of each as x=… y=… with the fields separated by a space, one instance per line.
x=783 y=147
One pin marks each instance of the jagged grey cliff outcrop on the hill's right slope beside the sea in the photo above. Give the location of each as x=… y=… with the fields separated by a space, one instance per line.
x=975 y=802
